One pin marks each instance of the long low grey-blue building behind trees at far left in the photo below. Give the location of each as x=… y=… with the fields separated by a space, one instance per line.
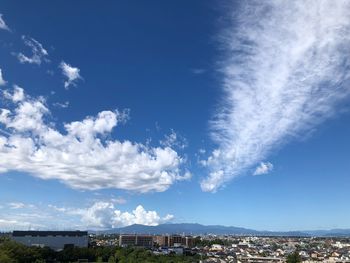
x=56 y=240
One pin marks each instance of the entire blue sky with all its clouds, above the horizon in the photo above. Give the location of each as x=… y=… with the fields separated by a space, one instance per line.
x=117 y=113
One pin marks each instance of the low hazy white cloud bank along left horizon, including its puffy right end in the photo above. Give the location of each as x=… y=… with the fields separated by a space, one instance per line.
x=98 y=215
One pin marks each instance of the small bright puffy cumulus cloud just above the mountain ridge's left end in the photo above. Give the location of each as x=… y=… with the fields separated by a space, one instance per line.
x=105 y=215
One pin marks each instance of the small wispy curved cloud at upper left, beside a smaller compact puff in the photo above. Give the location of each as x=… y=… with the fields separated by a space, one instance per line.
x=39 y=53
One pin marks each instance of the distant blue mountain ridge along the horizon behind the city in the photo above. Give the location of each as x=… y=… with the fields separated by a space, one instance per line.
x=198 y=229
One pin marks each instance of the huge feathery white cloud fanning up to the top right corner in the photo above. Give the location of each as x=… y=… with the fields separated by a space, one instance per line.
x=285 y=70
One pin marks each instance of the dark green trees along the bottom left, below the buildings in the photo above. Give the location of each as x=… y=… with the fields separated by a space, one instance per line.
x=12 y=252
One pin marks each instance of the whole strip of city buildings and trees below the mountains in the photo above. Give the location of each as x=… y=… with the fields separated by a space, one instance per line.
x=81 y=246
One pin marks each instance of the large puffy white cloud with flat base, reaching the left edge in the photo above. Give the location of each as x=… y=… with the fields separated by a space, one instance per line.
x=82 y=156
